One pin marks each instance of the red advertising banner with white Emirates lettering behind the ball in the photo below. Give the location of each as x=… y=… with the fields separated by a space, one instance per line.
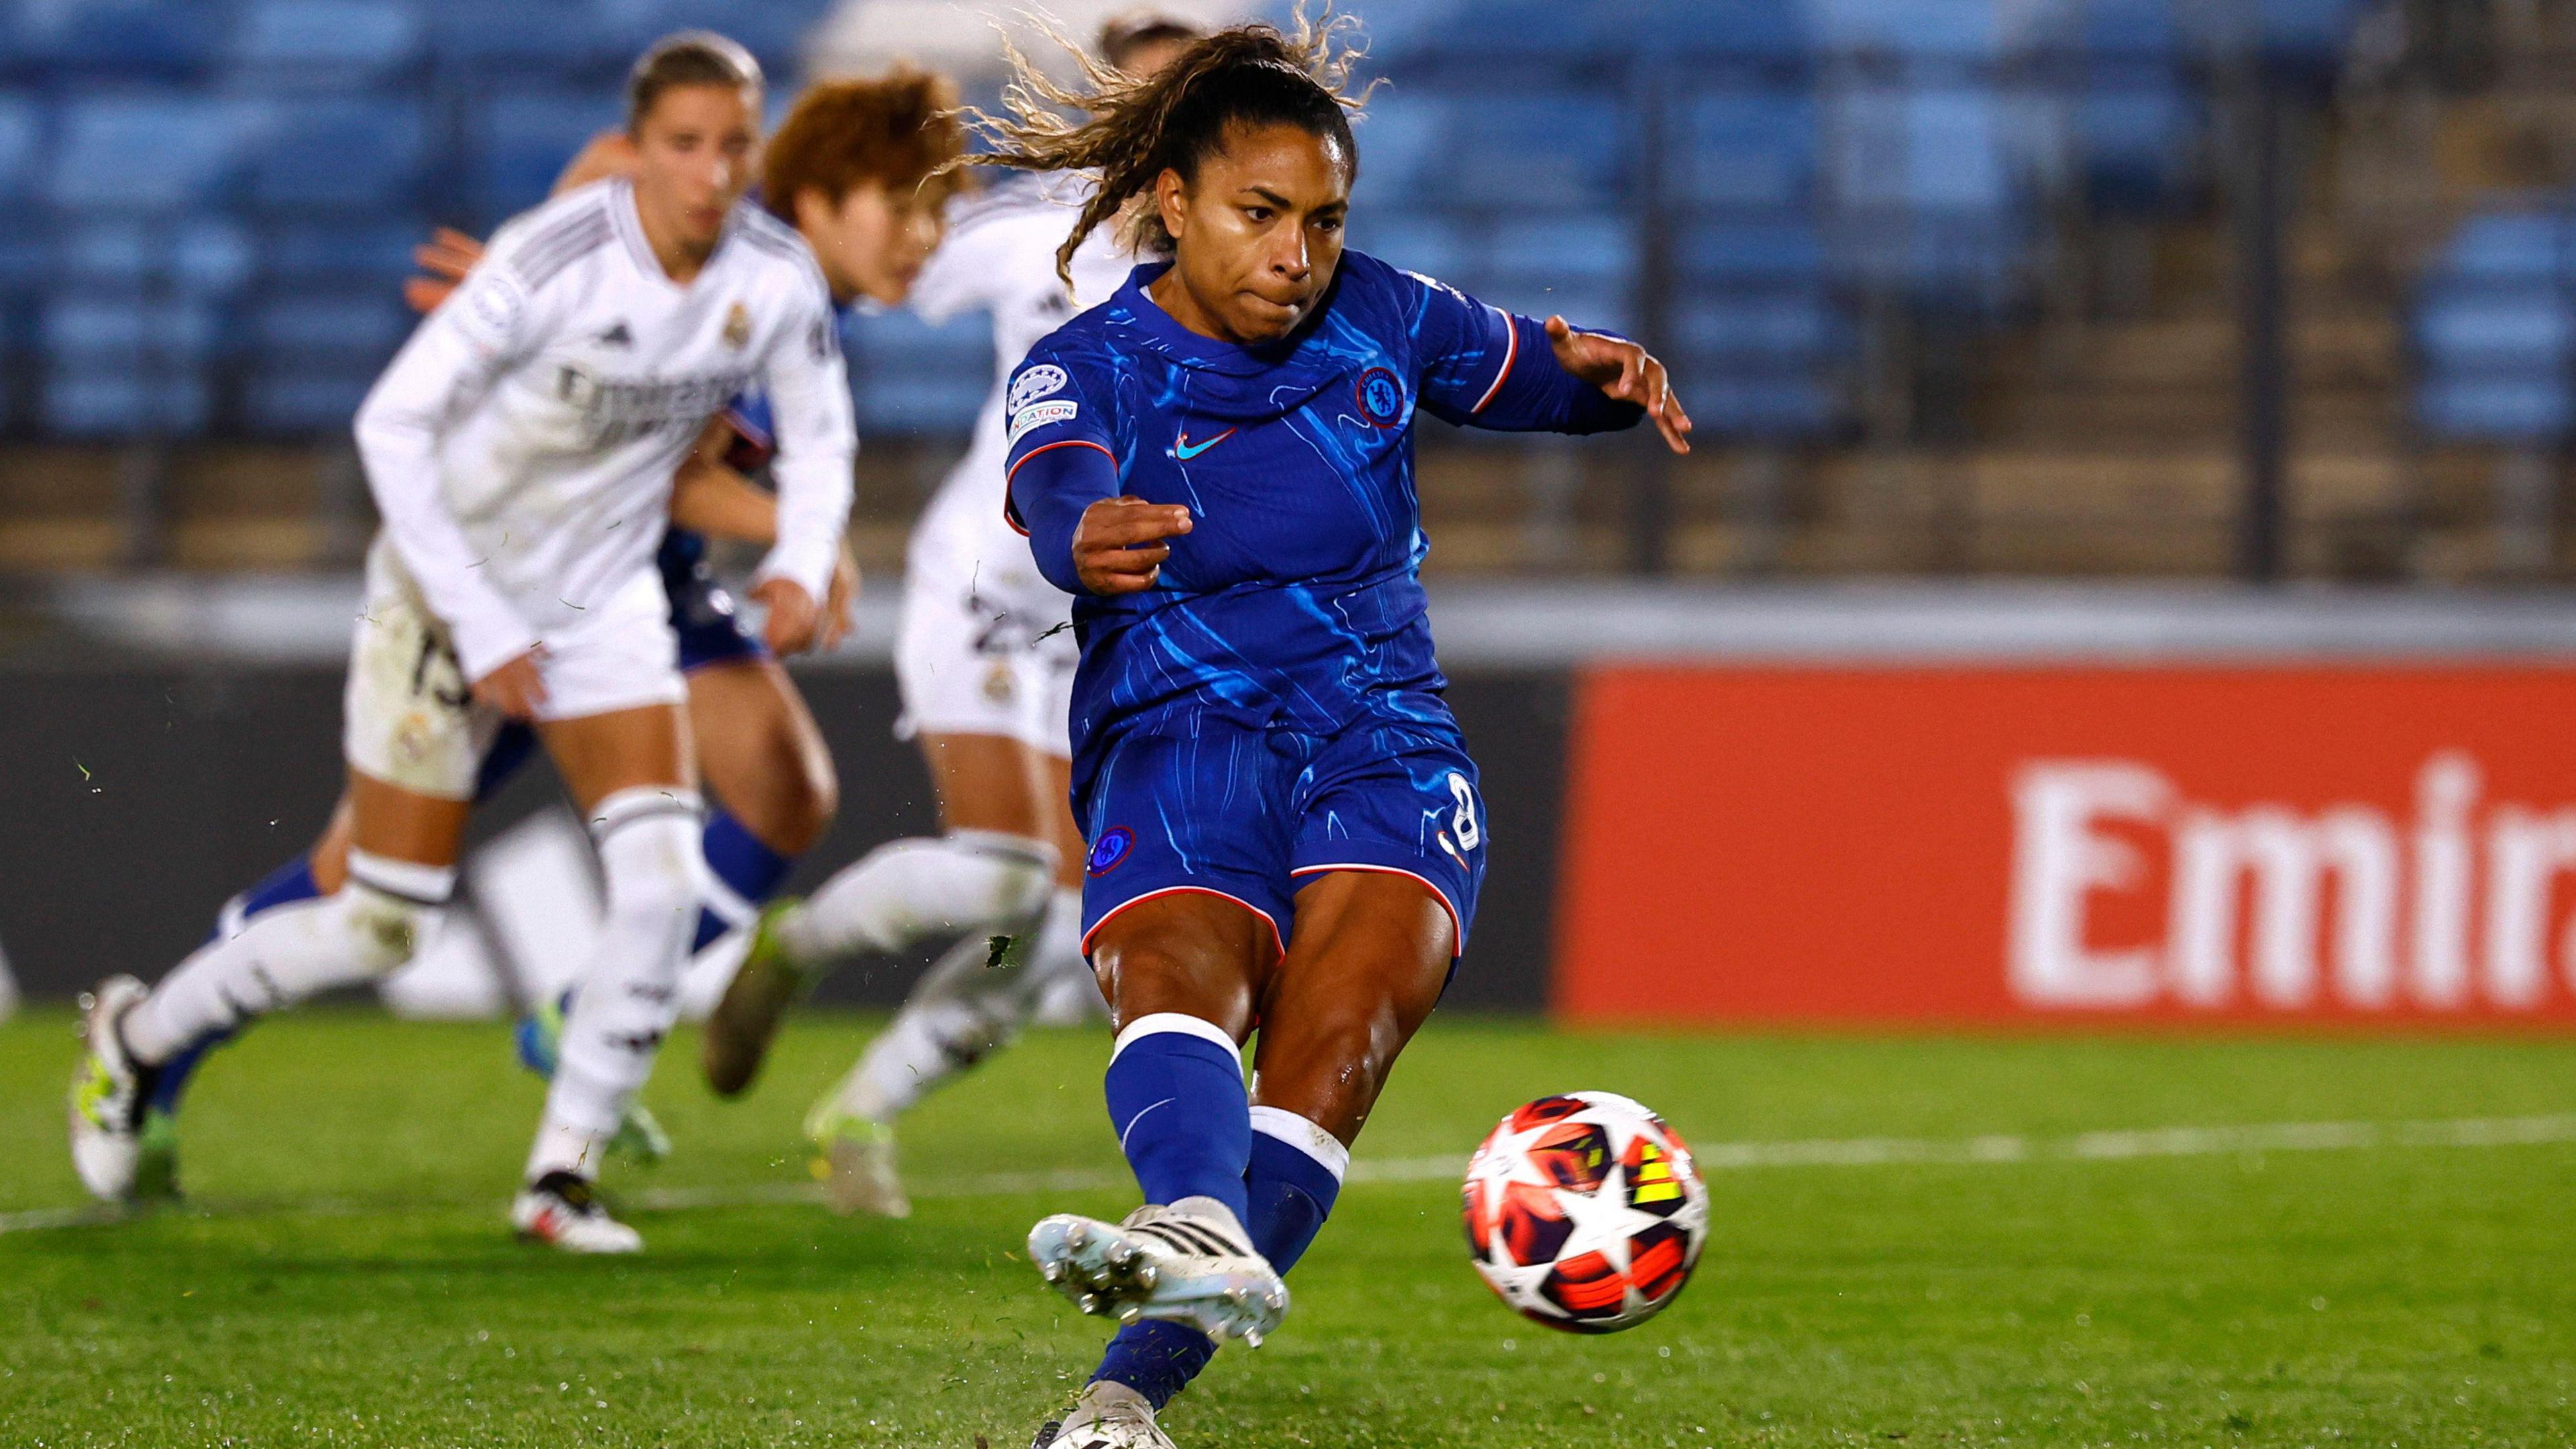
x=2072 y=844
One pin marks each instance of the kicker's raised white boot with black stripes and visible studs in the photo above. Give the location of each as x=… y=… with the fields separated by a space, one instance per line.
x=1186 y=1265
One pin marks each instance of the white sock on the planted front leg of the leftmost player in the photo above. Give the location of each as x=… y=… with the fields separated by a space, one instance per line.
x=630 y=991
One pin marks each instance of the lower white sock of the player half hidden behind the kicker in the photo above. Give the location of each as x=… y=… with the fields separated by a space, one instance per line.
x=965 y=1009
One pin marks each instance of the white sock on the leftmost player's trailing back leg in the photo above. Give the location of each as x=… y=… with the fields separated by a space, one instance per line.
x=292 y=953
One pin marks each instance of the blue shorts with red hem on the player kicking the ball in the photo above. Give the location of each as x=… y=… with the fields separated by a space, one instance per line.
x=1197 y=803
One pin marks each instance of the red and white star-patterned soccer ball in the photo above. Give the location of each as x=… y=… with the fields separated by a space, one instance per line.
x=1586 y=1213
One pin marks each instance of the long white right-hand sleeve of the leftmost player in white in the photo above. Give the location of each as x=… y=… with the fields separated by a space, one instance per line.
x=818 y=445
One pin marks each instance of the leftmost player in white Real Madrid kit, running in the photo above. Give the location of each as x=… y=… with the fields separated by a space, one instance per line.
x=522 y=452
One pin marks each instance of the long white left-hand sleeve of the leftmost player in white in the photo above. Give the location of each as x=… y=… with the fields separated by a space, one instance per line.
x=450 y=362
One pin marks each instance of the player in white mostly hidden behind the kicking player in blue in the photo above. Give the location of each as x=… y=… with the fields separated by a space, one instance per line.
x=985 y=664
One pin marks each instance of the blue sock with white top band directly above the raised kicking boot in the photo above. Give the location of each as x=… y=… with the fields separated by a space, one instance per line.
x=1181 y=1110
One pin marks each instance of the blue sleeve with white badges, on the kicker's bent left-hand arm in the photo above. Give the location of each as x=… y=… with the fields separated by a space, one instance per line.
x=1063 y=455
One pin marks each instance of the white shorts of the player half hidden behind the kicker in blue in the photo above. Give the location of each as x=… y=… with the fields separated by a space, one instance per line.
x=985 y=643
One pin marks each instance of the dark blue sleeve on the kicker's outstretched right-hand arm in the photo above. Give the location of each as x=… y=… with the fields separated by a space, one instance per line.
x=1485 y=367
